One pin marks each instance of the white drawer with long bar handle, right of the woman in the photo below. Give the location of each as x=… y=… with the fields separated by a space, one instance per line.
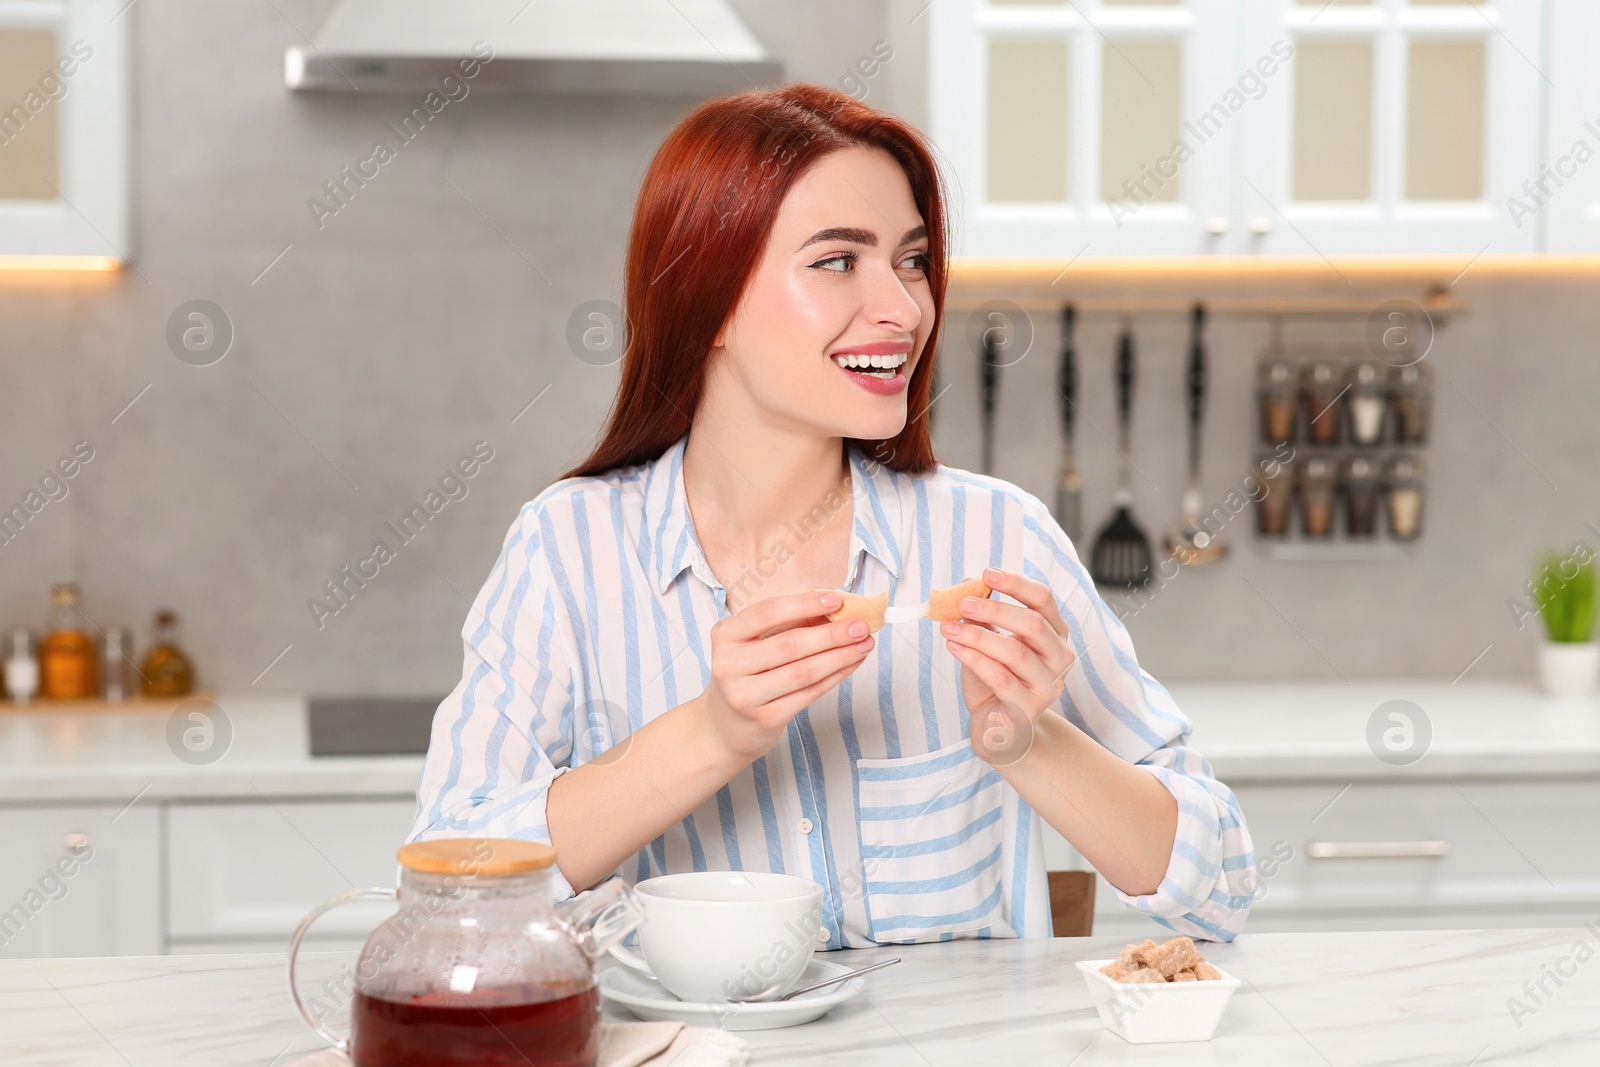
x=1502 y=845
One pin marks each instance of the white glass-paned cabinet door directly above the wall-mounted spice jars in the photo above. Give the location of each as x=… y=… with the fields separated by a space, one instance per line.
x=1401 y=127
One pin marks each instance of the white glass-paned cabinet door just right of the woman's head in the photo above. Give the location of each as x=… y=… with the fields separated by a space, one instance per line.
x=1068 y=124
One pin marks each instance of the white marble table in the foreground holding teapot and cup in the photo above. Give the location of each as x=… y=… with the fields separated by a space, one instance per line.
x=1418 y=997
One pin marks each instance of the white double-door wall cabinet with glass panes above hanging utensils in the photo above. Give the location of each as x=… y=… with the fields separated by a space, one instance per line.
x=1279 y=127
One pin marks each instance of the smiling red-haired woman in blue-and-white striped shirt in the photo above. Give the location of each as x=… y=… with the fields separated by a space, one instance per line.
x=652 y=682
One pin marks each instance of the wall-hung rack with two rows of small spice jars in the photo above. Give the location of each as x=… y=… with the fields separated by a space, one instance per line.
x=1343 y=470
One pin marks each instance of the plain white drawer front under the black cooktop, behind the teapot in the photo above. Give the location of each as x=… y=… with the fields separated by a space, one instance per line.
x=252 y=871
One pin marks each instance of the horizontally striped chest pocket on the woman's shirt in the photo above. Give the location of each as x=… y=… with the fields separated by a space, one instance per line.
x=932 y=841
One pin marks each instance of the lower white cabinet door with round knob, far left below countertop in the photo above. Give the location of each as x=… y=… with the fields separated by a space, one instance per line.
x=81 y=881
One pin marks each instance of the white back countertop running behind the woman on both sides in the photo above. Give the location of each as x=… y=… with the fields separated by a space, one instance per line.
x=1249 y=732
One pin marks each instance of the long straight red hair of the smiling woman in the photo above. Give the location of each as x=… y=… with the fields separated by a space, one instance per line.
x=700 y=228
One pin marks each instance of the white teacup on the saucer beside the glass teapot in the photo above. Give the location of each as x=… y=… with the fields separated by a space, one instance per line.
x=722 y=935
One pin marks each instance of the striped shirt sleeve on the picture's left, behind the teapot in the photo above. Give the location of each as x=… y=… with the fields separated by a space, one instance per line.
x=506 y=732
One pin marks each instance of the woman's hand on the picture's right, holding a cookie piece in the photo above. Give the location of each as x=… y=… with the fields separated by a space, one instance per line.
x=1009 y=679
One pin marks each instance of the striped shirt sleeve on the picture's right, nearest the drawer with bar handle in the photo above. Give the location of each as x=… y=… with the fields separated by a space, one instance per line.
x=1210 y=879
